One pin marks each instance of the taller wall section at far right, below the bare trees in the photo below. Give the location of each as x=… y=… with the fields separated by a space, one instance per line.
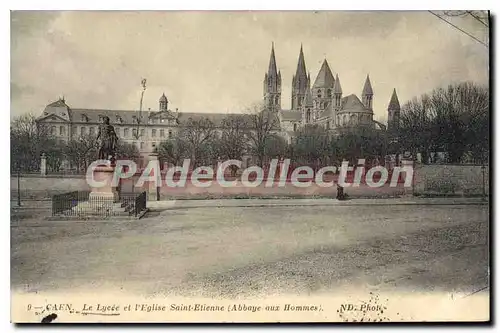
x=444 y=179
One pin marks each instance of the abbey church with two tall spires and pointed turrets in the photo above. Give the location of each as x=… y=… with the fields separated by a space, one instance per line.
x=324 y=102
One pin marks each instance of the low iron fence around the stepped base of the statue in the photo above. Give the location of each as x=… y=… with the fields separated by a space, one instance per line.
x=79 y=204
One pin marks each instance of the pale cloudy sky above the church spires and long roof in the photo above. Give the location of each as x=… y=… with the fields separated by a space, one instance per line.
x=216 y=61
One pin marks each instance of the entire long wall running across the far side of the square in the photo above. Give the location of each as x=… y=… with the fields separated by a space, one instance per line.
x=463 y=180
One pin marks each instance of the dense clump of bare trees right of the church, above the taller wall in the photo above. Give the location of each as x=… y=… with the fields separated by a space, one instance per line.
x=454 y=120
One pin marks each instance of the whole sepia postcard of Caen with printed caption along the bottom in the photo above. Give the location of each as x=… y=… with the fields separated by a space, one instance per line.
x=250 y=166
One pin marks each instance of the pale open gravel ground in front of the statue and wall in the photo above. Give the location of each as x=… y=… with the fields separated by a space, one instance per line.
x=250 y=252
